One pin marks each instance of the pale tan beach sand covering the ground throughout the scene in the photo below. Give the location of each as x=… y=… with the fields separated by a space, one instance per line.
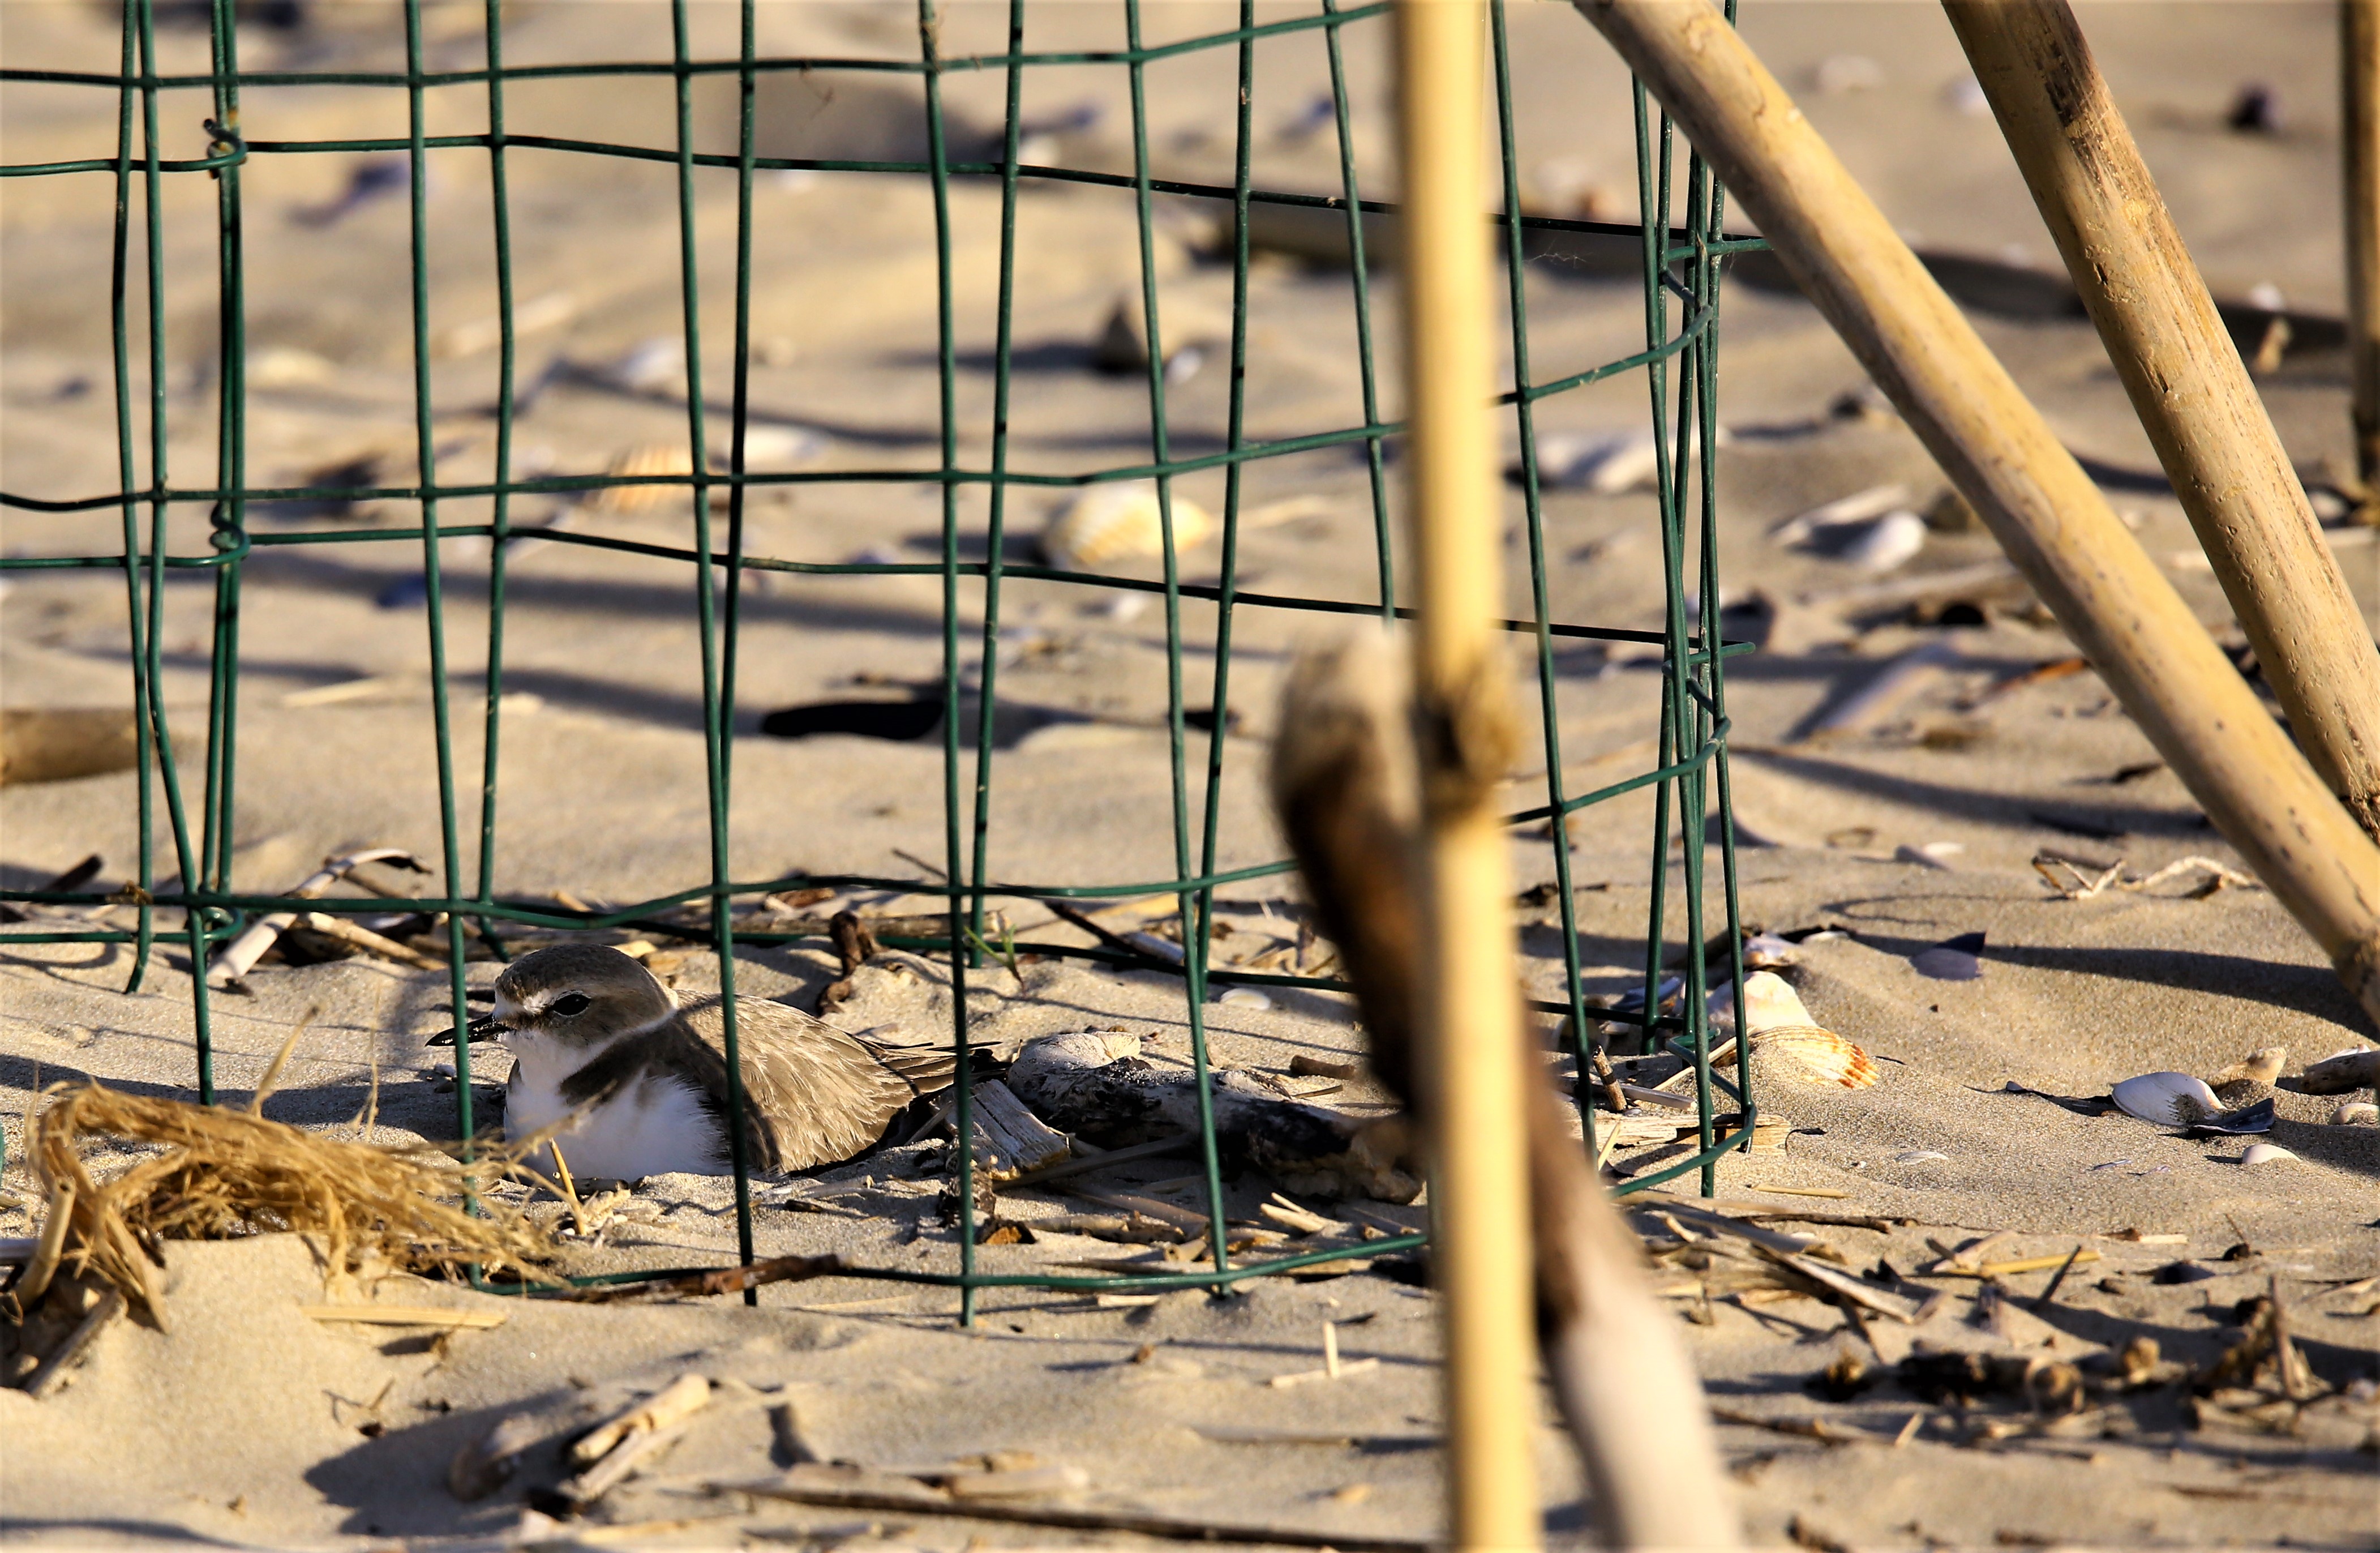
x=253 y=1426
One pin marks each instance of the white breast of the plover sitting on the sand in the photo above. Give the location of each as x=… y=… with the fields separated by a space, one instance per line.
x=651 y=1125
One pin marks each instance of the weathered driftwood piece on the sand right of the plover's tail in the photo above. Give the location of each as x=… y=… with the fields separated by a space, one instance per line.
x=1098 y=1085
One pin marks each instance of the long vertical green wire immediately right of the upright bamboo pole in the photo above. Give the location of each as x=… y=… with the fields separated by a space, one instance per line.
x=1539 y=575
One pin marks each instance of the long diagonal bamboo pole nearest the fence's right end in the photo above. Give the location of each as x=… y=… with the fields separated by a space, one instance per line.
x=1998 y=451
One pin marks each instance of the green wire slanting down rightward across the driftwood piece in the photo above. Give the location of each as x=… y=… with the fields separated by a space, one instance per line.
x=1177 y=742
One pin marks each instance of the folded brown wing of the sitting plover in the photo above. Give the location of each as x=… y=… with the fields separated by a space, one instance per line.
x=815 y=1094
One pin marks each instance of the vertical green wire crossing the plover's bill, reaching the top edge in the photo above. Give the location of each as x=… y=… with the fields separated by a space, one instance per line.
x=432 y=578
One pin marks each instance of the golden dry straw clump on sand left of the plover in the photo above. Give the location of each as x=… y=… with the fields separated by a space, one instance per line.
x=227 y=1173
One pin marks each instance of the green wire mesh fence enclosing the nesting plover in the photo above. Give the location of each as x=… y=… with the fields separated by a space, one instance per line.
x=1679 y=363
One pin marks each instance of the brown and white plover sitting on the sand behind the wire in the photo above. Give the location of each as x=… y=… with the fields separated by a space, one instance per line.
x=637 y=1085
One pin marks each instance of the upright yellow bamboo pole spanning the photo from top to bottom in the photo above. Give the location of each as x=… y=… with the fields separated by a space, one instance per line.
x=1470 y=999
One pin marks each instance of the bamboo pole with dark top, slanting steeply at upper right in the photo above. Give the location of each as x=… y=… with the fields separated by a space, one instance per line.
x=2186 y=380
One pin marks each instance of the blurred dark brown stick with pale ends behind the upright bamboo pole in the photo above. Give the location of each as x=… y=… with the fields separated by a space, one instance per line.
x=1346 y=787
